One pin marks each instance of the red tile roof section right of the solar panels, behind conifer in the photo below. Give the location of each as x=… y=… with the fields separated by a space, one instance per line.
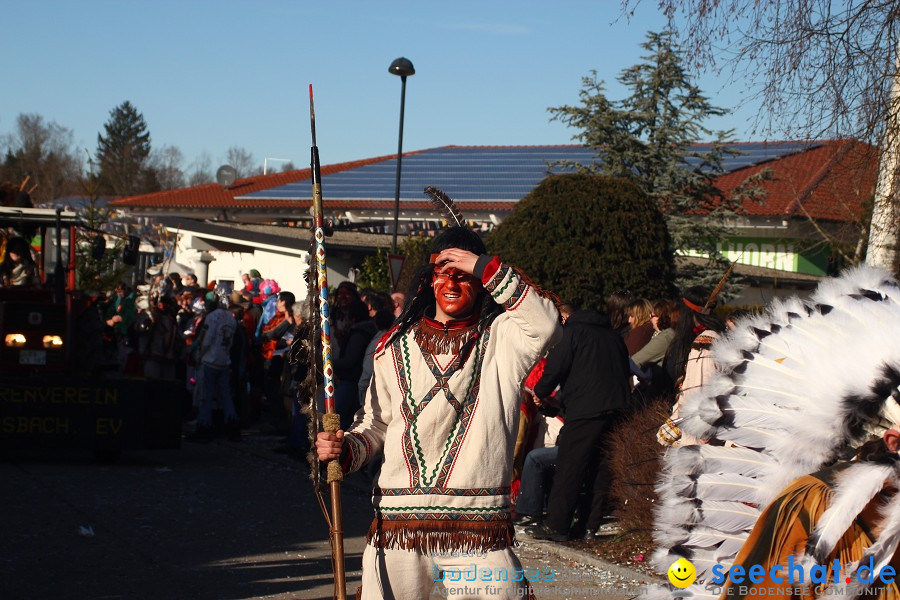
x=831 y=182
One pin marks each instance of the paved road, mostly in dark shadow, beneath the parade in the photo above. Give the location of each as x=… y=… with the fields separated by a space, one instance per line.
x=208 y=521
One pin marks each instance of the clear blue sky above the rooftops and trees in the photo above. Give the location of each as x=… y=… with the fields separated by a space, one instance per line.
x=212 y=74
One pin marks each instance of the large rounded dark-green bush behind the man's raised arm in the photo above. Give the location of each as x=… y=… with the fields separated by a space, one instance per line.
x=585 y=236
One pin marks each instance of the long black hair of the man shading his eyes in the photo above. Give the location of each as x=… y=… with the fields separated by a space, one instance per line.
x=420 y=299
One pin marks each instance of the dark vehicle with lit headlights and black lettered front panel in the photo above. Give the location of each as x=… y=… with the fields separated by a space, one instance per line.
x=47 y=397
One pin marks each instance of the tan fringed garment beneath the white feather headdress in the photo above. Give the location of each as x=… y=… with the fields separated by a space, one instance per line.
x=783 y=529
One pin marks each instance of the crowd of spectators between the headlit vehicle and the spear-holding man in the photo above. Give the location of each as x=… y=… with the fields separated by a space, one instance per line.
x=228 y=349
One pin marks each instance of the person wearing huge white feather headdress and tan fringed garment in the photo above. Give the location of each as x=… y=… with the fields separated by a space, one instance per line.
x=798 y=388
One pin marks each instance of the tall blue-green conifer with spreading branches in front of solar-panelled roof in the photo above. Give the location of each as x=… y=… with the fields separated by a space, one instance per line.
x=647 y=137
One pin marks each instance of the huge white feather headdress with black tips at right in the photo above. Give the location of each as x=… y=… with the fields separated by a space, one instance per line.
x=796 y=386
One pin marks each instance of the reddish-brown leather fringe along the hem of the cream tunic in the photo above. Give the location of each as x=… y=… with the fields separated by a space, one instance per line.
x=441 y=536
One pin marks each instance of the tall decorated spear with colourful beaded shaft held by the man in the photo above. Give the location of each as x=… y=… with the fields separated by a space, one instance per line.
x=330 y=420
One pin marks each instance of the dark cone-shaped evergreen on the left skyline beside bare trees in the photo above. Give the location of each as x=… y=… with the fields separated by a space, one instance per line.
x=124 y=152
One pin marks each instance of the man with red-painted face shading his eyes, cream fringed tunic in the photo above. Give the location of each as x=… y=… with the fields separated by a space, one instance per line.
x=443 y=408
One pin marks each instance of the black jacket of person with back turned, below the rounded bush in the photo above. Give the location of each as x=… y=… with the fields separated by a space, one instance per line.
x=590 y=365
